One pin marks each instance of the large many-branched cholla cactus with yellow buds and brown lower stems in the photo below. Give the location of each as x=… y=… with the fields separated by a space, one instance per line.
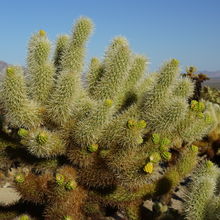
x=104 y=144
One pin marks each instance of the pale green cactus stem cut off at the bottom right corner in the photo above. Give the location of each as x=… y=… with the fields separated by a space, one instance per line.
x=203 y=197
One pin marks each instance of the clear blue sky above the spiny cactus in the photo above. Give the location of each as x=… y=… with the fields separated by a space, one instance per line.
x=188 y=30
